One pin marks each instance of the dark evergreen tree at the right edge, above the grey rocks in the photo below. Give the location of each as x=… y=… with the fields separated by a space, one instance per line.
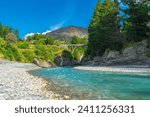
x=136 y=19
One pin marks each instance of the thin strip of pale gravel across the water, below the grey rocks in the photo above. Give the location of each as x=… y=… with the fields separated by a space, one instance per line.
x=124 y=69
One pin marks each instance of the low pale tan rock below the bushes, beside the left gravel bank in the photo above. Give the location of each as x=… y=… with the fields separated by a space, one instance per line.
x=43 y=64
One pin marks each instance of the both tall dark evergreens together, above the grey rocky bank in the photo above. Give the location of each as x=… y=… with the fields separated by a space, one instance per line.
x=110 y=29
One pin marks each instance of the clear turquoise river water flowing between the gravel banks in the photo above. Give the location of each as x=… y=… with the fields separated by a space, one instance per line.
x=97 y=85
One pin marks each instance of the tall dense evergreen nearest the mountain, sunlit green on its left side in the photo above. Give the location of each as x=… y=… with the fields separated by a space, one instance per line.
x=104 y=28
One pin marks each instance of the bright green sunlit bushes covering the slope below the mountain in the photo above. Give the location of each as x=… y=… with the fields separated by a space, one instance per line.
x=37 y=46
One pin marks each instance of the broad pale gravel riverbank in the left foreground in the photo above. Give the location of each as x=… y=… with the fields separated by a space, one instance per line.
x=17 y=84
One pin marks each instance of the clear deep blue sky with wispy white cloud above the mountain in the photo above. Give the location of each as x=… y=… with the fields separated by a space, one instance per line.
x=38 y=16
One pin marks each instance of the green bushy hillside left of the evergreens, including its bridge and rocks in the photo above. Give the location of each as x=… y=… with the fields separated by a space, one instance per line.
x=40 y=49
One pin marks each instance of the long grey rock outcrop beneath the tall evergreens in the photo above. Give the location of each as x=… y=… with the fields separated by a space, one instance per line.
x=132 y=55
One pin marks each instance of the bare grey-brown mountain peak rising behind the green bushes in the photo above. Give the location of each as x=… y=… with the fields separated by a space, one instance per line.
x=66 y=33
